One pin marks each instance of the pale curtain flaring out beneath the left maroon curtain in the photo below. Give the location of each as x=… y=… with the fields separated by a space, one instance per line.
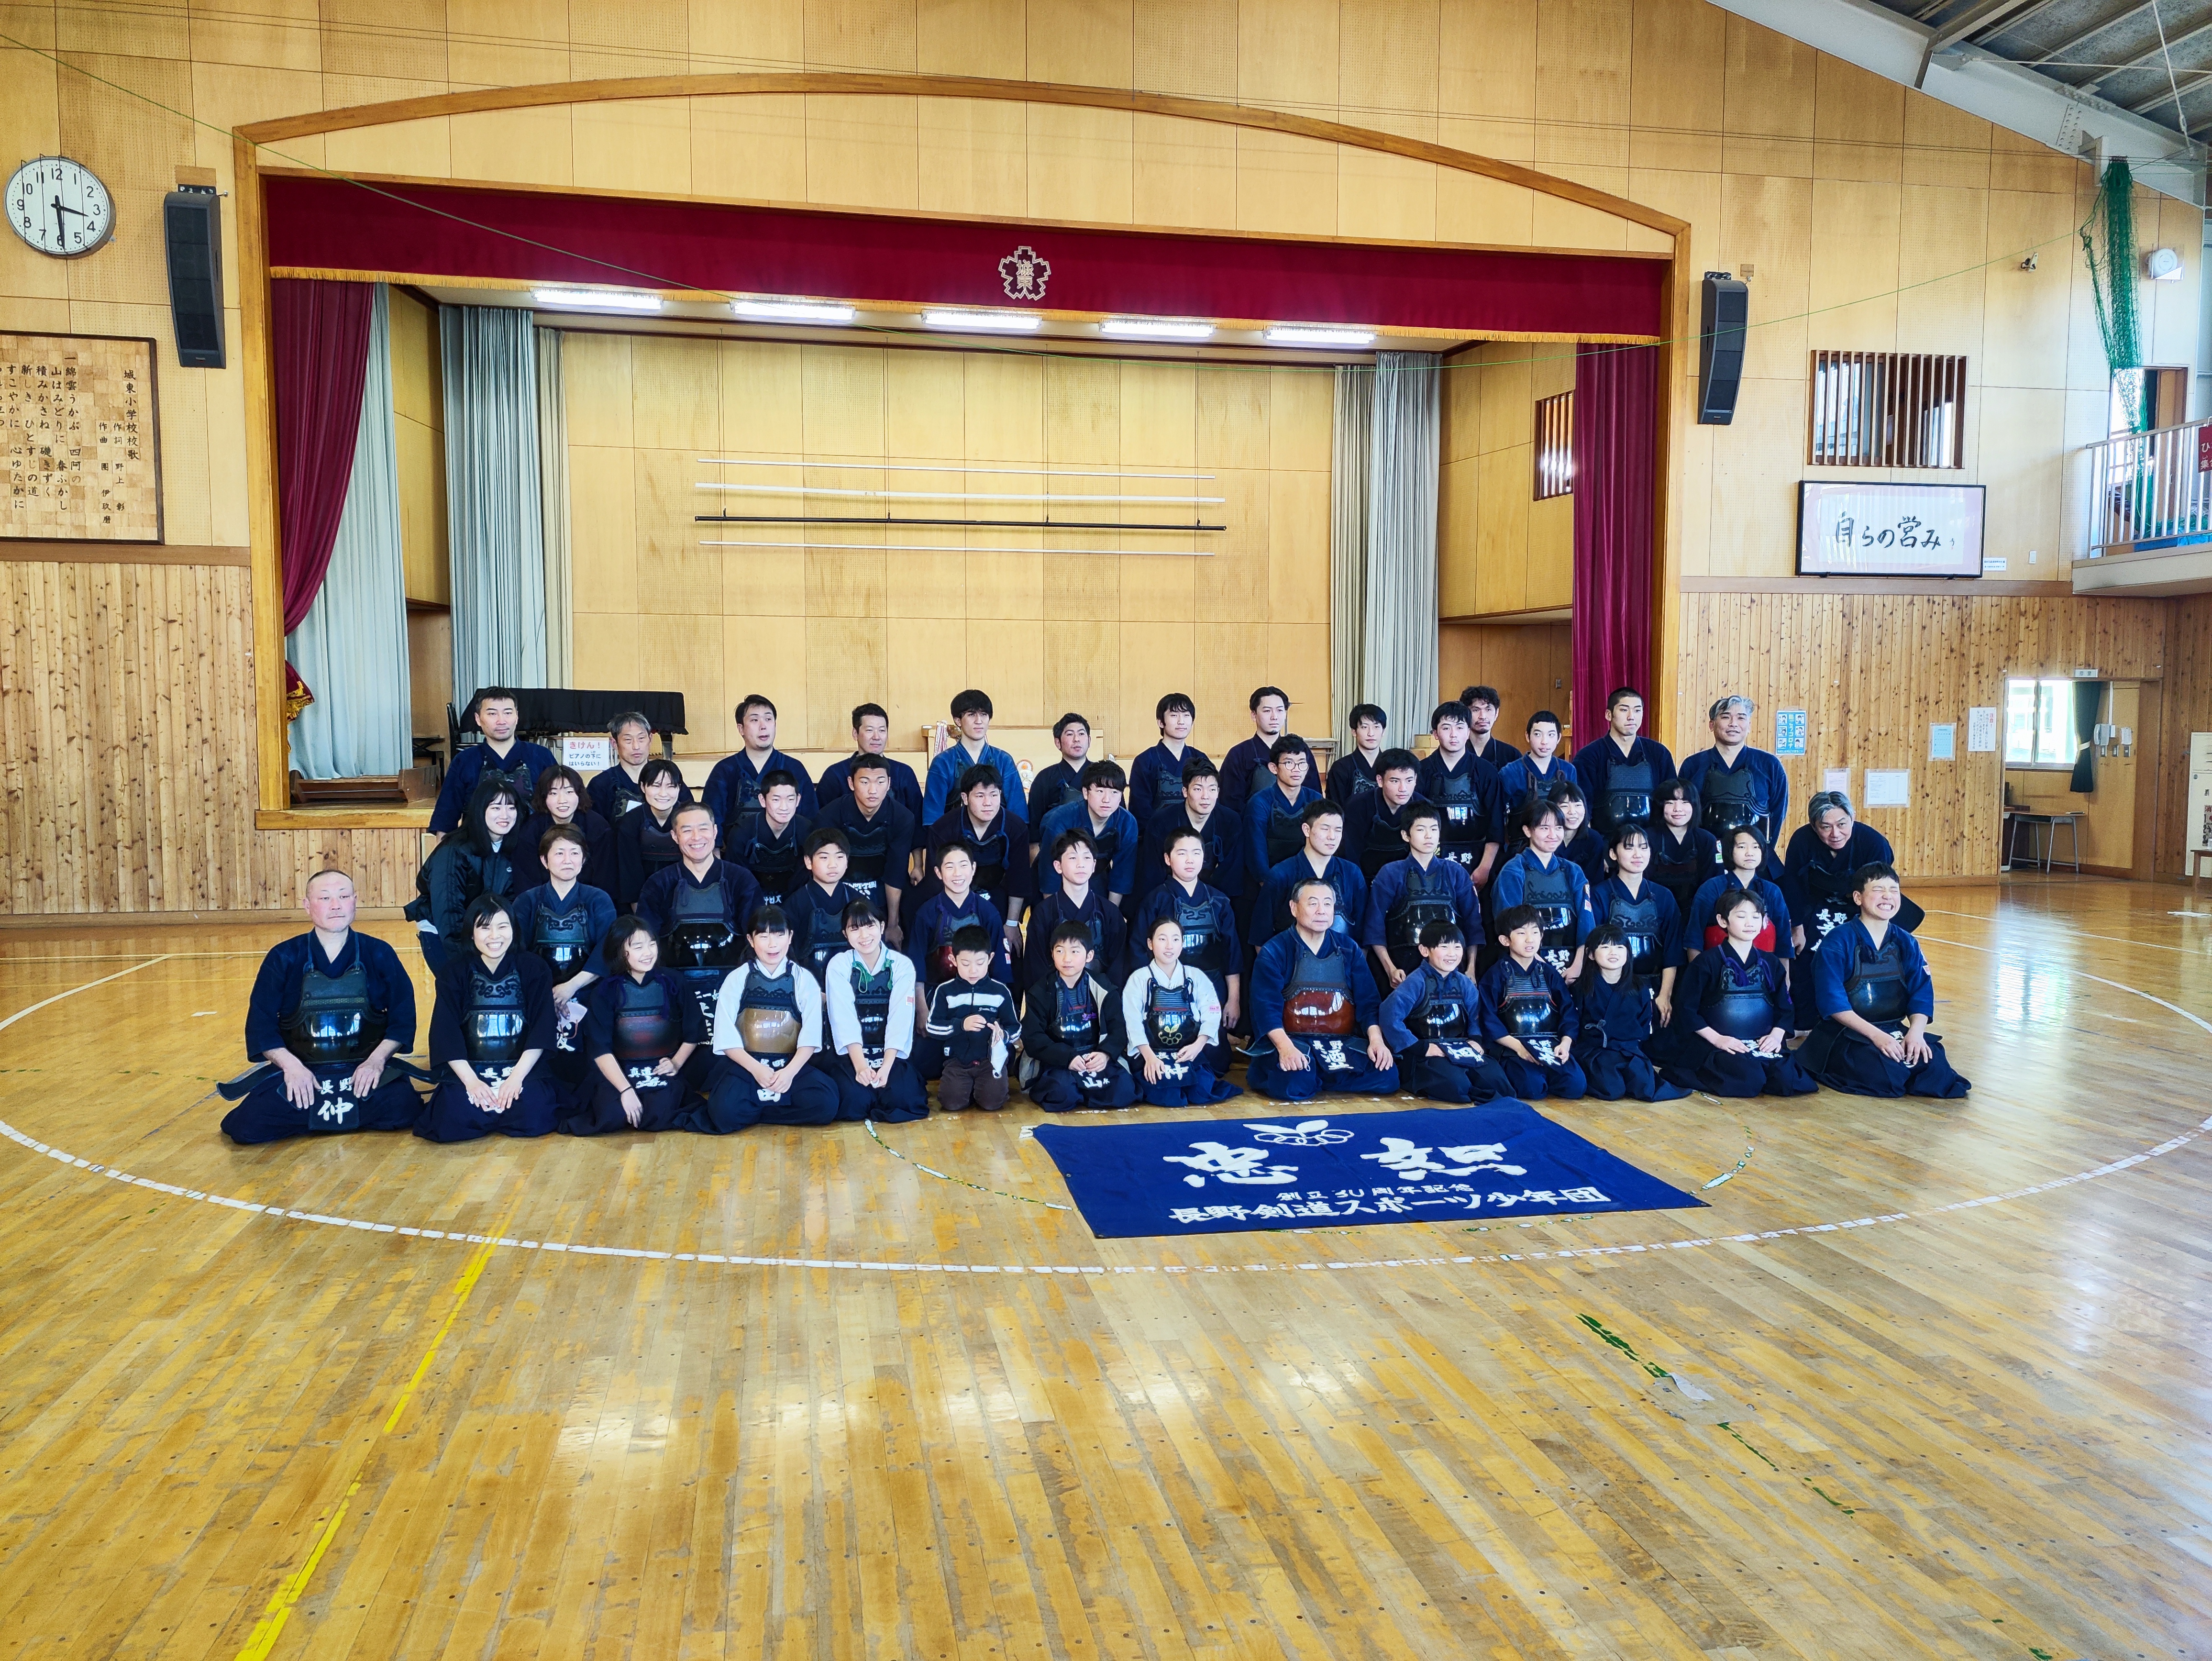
x=351 y=649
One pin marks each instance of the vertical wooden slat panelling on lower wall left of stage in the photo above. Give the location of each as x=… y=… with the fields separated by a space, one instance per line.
x=127 y=753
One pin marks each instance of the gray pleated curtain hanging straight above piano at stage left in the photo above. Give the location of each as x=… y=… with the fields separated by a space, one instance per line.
x=492 y=492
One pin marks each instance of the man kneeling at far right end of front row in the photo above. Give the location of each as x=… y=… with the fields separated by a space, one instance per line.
x=1875 y=996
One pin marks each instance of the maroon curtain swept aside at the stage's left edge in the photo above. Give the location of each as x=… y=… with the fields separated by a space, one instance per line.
x=320 y=355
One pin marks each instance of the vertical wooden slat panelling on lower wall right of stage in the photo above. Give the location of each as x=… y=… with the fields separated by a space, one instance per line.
x=1875 y=671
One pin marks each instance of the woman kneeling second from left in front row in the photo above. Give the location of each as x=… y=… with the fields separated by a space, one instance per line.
x=490 y=1034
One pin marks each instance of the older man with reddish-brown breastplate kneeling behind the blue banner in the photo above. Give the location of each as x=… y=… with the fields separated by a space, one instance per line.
x=1315 y=1010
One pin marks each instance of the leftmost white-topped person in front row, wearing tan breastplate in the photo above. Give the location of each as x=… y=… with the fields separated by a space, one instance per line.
x=769 y=1025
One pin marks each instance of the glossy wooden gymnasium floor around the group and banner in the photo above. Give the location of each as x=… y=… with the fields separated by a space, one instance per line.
x=1950 y=1364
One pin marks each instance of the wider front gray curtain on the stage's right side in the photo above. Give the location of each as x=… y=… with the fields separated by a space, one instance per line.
x=1399 y=638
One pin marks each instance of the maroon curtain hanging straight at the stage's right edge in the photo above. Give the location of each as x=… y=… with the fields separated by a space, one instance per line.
x=1616 y=457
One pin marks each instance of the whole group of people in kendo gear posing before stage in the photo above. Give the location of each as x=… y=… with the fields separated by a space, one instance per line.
x=1468 y=926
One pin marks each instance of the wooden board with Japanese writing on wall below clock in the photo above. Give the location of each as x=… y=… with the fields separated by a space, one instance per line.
x=81 y=437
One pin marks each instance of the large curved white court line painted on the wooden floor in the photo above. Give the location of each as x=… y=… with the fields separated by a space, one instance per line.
x=574 y=1249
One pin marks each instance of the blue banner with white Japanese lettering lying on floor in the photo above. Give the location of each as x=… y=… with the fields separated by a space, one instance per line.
x=1353 y=1169
